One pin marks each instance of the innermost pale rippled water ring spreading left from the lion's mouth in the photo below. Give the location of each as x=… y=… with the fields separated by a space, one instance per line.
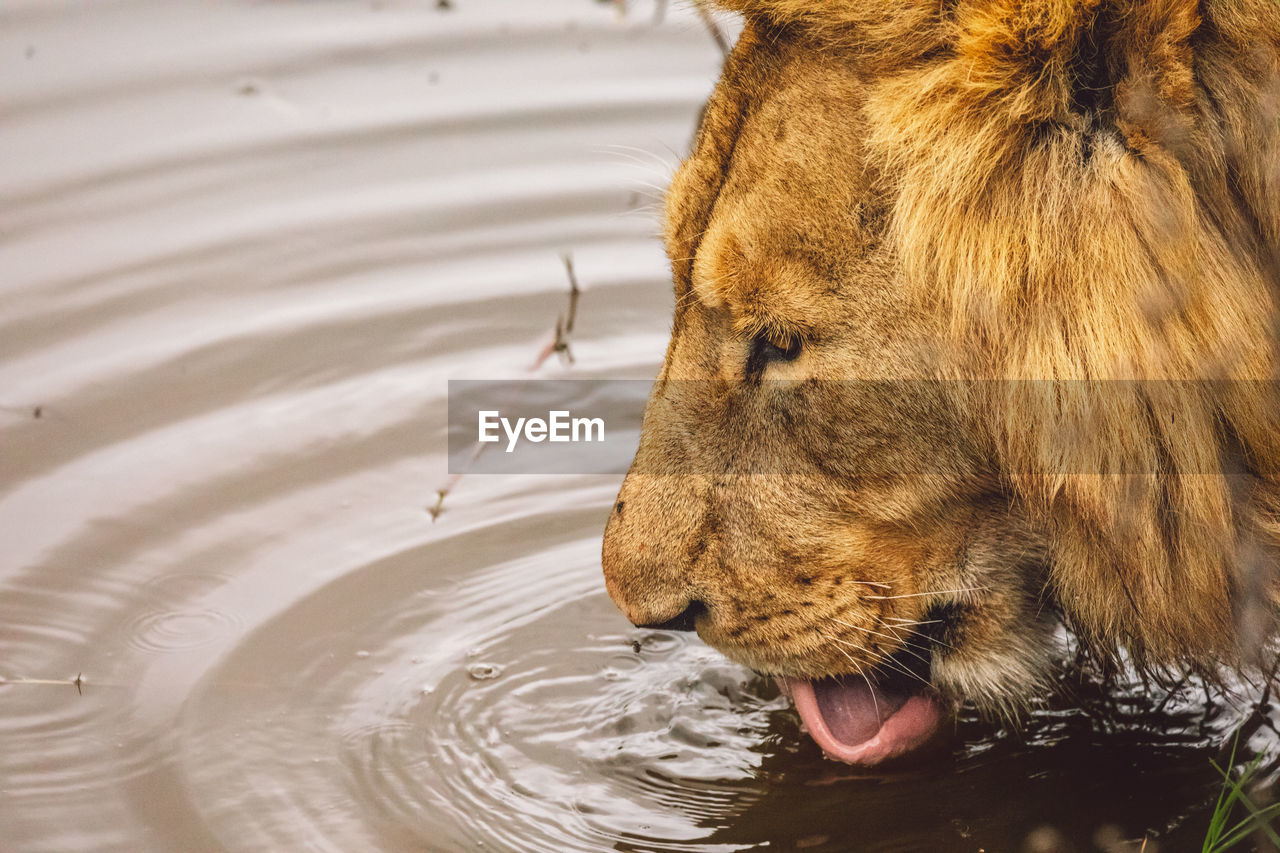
x=525 y=719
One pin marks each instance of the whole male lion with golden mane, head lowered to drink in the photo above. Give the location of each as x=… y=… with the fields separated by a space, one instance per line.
x=975 y=340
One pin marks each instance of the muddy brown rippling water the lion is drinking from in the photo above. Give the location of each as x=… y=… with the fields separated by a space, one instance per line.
x=244 y=248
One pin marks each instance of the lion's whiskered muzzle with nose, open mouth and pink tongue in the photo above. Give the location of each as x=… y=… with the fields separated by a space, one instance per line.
x=876 y=623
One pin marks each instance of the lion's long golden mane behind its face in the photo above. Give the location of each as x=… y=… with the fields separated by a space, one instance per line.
x=1090 y=190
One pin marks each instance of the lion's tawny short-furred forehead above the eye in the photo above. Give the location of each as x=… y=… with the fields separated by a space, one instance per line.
x=793 y=213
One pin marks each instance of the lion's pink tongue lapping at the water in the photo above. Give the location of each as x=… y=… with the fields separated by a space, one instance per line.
x=863 y=726
